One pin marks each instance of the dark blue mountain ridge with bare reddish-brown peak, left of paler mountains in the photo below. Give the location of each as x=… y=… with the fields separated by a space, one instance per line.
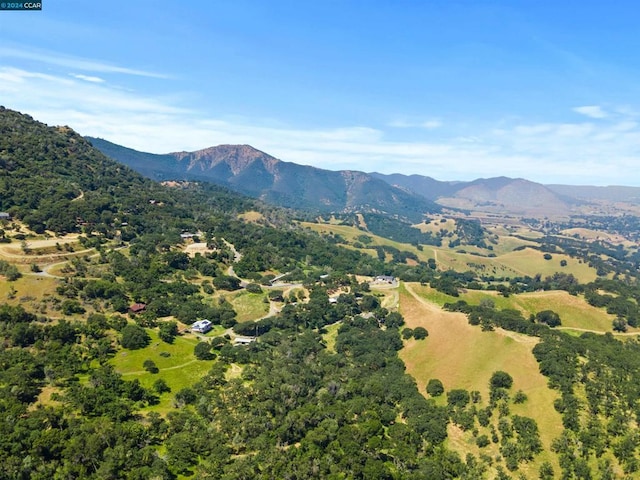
x=255 y=173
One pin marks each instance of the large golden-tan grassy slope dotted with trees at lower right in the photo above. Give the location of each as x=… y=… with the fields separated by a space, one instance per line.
x=463 y=356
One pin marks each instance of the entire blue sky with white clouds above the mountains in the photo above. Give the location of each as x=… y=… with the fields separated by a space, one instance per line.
x=456 y=90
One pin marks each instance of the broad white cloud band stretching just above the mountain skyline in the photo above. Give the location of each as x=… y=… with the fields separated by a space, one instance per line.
x=606 y=151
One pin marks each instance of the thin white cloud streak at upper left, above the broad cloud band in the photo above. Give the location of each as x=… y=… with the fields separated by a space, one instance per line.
x=74 y=63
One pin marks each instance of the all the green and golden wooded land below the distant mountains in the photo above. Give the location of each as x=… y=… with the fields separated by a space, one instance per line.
x=298 y=374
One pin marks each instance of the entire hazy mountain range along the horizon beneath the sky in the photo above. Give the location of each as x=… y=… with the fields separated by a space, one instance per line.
x=260 y=175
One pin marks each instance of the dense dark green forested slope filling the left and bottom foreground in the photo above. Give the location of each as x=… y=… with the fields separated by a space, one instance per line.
x=73 y=415
